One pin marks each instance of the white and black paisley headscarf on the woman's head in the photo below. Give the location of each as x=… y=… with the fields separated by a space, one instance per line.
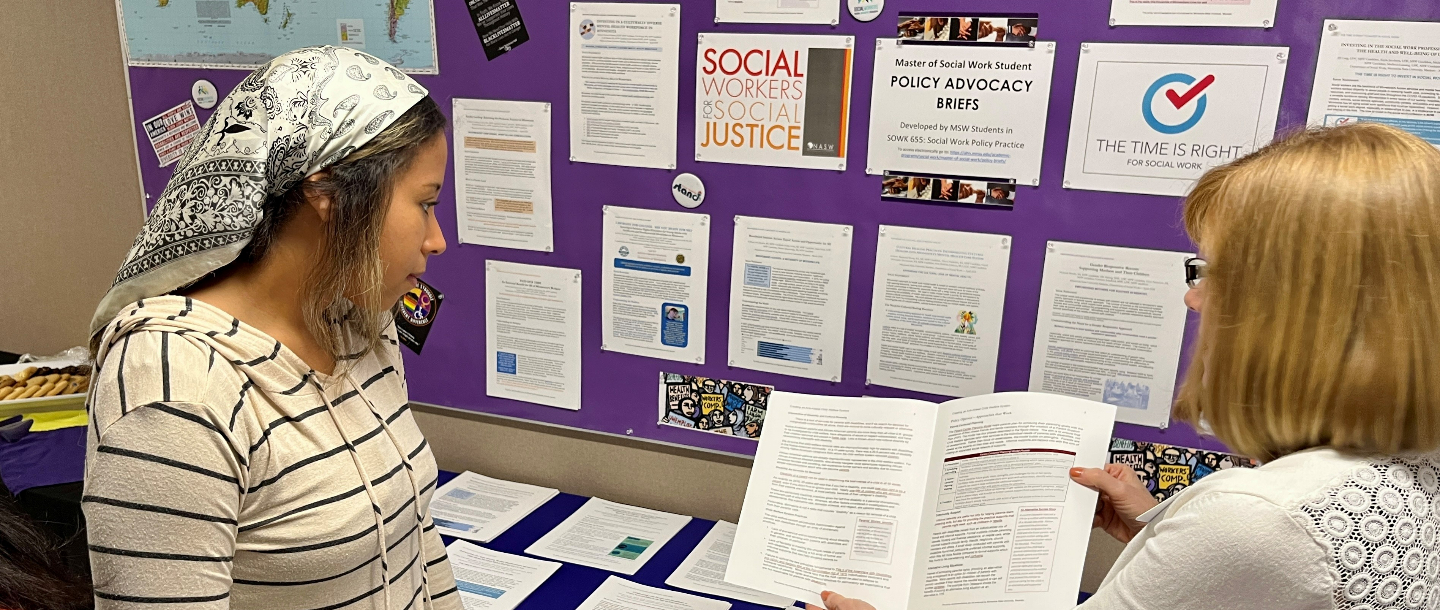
x=290 y=119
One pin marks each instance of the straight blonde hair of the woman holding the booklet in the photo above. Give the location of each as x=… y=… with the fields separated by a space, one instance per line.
x=1323 y=296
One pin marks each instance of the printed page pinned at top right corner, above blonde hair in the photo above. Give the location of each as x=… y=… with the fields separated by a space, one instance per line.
x=1379 y=73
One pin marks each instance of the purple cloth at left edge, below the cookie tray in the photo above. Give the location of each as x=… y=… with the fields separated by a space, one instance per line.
x=44 y=458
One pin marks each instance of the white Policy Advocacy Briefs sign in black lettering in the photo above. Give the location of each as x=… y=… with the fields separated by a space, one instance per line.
x=960 y=110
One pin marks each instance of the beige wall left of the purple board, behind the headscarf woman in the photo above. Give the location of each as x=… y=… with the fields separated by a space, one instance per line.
x=70 y=189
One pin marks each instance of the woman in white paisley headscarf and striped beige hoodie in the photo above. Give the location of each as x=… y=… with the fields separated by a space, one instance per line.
x=251 y=440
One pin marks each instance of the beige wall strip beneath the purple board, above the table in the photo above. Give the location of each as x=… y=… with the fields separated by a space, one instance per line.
x=675 y=480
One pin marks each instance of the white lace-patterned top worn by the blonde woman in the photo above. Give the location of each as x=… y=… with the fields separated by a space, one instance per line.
x=1314 y=530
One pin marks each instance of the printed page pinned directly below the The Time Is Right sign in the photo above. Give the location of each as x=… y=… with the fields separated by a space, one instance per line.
x=1110 y=329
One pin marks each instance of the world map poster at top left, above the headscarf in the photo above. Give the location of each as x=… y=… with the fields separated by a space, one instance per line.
x=247 y=34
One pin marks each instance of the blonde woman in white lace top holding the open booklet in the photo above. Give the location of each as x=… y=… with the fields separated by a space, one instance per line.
x=1320 y=303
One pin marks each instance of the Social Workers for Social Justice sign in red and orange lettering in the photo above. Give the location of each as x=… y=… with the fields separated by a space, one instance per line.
x=774 y=100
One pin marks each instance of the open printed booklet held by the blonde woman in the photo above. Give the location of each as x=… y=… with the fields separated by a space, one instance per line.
x=914 y=506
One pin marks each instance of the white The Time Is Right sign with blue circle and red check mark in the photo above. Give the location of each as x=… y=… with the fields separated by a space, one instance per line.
x=1151 y=119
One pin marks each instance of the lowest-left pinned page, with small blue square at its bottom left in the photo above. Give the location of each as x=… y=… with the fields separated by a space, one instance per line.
x=534 y=334
